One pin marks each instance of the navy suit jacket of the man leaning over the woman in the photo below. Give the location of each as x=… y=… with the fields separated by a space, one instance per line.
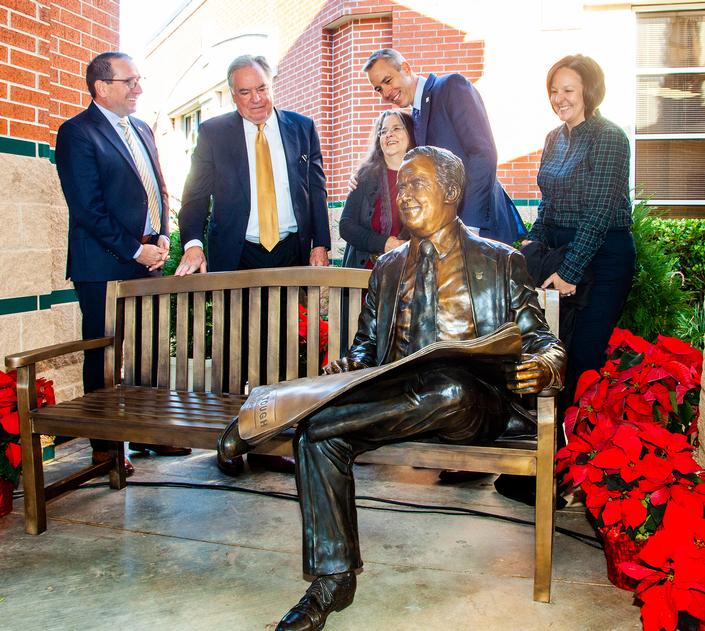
x=453 y=117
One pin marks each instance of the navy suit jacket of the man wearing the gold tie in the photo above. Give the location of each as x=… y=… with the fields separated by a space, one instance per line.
x=220 y=180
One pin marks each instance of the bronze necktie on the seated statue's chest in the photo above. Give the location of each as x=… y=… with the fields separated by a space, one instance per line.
x=422 y=331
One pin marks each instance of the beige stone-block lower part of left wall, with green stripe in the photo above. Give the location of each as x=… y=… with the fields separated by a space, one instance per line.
x=34 y=217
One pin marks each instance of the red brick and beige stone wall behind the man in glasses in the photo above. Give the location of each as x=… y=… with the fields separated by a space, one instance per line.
x=44 y=49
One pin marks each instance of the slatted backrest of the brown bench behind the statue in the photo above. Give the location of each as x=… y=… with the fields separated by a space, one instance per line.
x=161 y=318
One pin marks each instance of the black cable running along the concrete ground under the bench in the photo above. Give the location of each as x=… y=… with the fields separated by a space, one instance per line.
x=399 y=506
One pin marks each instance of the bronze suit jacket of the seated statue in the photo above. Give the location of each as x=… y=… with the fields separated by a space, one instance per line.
x=501 y=292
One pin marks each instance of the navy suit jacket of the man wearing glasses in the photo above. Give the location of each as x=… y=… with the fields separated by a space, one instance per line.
x=106 y=199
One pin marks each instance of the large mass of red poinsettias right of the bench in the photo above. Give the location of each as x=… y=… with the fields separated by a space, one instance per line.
x=630 y=452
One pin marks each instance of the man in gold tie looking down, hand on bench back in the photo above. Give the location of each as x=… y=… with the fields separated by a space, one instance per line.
x=223 y=180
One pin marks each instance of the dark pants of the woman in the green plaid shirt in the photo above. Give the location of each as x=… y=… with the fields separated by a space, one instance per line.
x=613 y=270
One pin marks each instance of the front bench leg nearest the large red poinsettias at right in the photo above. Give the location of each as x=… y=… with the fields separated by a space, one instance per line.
x=545 y=499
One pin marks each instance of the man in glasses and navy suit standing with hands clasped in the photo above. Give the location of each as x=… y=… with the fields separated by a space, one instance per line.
x=118 y=204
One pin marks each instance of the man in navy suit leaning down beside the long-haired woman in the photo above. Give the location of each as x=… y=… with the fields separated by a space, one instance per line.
x=448 y=112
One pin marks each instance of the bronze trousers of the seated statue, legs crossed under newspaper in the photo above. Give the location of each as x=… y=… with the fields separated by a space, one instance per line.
x=444 y=402
